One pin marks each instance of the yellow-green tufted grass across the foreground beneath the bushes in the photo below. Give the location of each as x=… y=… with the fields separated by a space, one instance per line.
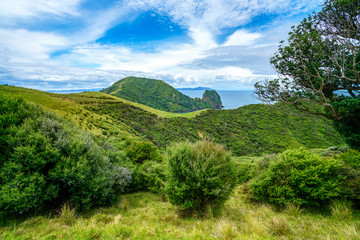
x=146 y=216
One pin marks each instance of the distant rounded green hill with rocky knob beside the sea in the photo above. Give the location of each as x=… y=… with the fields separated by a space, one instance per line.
x=160 y=95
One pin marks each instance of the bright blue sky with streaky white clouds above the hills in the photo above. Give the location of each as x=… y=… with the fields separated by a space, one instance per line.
x=90 y=44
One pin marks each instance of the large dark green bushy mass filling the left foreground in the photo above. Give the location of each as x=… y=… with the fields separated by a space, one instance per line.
x=46 y=160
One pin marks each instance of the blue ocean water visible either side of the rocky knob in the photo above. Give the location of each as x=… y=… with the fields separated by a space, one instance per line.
x=230 y=98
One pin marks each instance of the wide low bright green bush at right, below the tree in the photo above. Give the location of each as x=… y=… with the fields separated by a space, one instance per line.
x=300 y=177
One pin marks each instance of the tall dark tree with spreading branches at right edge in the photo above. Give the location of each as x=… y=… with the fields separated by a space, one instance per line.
x=321 y=65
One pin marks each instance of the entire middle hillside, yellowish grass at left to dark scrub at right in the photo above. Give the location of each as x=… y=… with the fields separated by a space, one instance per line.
x=252 y=129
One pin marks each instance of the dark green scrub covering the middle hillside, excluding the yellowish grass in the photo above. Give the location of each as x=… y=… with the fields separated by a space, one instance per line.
x=252 y=129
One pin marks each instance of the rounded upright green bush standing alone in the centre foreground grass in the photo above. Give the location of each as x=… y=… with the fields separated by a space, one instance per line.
x=200 y=175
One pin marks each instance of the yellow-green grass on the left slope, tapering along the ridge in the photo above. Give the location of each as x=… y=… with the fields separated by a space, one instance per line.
x=75 y=107
